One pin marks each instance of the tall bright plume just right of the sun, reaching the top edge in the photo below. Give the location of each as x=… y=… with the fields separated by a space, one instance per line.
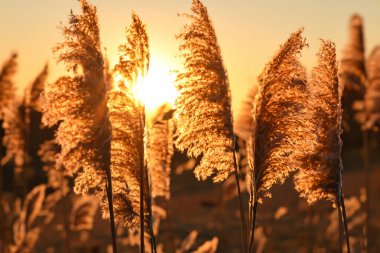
x=203 y=106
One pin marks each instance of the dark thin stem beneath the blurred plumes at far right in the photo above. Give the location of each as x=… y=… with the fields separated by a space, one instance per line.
x=366 y=165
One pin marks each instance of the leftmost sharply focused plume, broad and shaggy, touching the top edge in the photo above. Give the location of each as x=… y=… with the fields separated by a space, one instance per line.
x=78 y=104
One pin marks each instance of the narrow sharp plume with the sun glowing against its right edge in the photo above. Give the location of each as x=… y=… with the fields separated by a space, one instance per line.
x=127 y=118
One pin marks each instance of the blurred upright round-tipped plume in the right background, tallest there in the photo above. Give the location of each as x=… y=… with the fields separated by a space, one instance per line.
x=352 y=78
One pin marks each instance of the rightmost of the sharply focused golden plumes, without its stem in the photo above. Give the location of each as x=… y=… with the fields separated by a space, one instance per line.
x=320 y=175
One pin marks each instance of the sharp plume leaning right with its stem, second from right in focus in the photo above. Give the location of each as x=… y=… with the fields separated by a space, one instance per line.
x=276 y=142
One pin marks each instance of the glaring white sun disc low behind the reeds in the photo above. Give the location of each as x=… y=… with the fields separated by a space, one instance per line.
x=157 y=87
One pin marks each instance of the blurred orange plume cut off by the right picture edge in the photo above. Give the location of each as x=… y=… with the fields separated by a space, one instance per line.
x=372 y=96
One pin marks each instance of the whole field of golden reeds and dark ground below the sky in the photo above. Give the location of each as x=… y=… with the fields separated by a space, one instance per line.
x=86 y=167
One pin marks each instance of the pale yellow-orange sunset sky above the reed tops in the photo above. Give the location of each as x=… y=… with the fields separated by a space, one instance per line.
x=249 y=31
